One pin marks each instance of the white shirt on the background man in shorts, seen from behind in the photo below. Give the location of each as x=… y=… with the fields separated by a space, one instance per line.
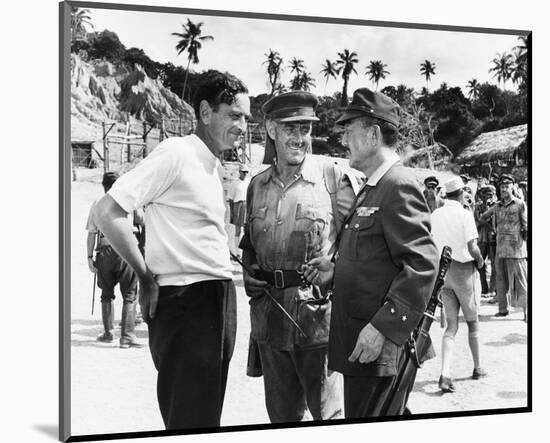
x=454 y=226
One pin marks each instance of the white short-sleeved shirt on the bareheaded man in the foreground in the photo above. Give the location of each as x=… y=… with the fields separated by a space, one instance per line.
x=180 y=186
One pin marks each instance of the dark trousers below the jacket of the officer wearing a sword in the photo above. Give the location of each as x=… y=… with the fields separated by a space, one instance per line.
x=366 y=396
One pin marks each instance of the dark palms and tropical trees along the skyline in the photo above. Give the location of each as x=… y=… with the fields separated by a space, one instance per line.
x=448 y=114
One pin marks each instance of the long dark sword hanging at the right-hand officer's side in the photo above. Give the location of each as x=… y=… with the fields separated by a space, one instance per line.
x=417 y=345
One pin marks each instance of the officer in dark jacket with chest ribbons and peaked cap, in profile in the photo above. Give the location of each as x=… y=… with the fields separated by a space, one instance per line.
x=385 y=267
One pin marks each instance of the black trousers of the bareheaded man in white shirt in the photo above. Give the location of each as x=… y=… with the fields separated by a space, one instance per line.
x=192 y=338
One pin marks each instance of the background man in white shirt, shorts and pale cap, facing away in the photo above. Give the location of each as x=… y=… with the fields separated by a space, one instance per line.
x=454 y=226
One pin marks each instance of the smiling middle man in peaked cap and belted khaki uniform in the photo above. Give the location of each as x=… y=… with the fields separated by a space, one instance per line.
x=293 y=209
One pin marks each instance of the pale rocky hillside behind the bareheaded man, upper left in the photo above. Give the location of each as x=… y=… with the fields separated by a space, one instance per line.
x=102 y=92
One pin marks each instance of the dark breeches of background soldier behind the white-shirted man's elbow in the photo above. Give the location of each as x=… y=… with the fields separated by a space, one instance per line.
x=111 y=269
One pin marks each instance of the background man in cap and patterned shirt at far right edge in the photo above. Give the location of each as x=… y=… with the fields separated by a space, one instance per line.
x=510 y=216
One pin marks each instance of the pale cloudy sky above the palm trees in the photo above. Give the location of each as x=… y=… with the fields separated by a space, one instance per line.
x=240 y=45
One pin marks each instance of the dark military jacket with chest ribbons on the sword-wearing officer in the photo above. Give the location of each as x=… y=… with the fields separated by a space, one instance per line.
x=385 y=270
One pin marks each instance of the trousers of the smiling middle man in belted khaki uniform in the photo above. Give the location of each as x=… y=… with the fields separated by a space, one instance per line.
x=295 y=381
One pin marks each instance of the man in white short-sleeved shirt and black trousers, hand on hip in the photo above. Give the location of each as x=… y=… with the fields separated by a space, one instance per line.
x=186 y=293
